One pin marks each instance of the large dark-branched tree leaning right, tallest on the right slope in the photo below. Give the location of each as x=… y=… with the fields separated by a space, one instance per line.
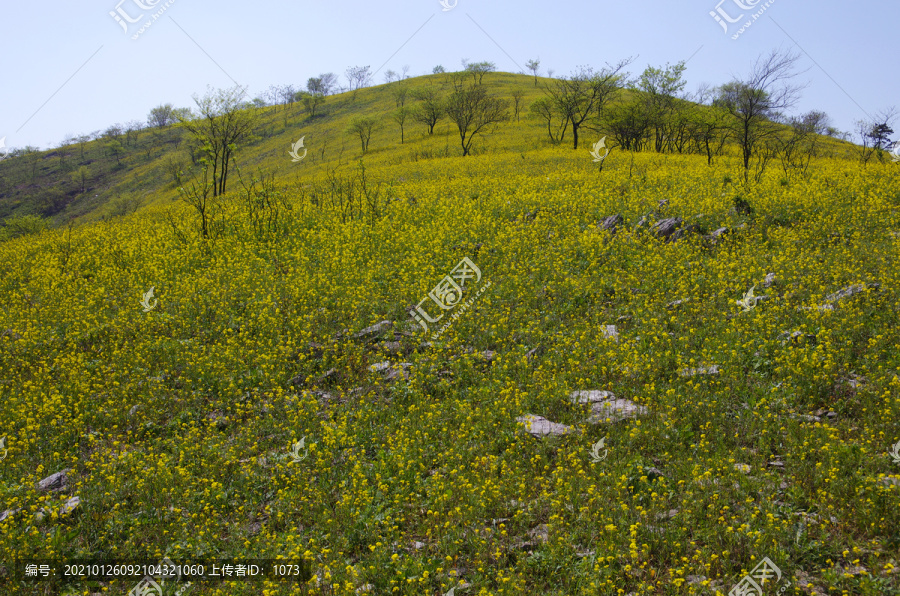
x=756 y=101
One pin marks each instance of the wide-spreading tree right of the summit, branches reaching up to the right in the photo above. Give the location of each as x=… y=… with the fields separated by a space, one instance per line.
x=585 y=92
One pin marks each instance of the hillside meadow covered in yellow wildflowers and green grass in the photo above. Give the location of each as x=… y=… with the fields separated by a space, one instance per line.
x=766 y=427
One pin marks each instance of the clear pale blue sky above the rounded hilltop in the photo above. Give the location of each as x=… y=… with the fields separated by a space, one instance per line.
x=68 y=67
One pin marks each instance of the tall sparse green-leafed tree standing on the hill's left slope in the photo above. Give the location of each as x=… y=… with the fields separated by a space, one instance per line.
x=222 y=123
